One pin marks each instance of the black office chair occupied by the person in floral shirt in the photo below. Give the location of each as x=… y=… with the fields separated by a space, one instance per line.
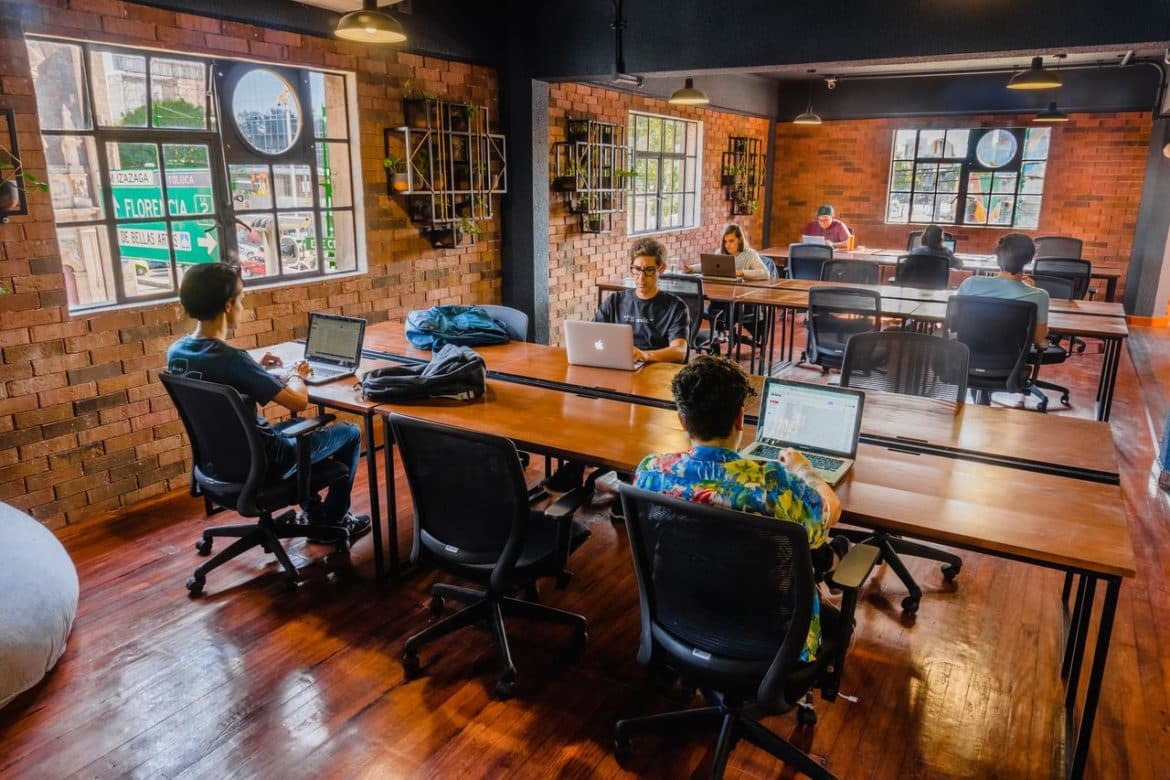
x=727 y=604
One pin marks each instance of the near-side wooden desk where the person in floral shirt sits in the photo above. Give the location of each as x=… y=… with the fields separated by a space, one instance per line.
x=1071 y=526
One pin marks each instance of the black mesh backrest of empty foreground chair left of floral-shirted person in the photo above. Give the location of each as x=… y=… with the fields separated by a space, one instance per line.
x=469 y=488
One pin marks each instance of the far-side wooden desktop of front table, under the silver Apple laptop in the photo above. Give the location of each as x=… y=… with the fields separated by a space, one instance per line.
x=1014 y=438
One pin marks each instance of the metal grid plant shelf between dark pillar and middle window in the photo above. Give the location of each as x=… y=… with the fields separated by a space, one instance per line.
x=589 y=170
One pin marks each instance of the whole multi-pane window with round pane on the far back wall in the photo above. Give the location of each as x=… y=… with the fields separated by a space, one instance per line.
x=992 y=177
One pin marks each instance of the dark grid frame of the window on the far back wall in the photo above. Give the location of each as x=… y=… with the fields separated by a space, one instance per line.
x=969 y=165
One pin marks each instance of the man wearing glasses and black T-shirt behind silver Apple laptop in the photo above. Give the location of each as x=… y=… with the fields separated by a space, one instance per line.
x=660 y=320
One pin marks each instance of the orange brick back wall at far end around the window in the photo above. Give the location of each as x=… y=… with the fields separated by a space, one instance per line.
x=1097 y=164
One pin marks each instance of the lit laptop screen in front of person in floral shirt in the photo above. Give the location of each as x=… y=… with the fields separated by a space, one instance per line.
x=814 y=417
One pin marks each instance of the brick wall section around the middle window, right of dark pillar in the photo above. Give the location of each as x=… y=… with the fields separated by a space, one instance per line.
x=577 y=260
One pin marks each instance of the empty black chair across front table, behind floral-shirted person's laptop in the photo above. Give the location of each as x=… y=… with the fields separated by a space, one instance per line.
x=912 y=364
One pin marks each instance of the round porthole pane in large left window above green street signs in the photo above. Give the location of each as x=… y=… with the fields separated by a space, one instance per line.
x=266 y=112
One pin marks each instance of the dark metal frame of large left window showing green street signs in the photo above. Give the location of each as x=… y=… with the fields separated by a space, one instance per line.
x=219 y=128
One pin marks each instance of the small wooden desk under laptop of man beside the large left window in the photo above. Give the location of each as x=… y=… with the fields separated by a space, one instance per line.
x=342 y=396
